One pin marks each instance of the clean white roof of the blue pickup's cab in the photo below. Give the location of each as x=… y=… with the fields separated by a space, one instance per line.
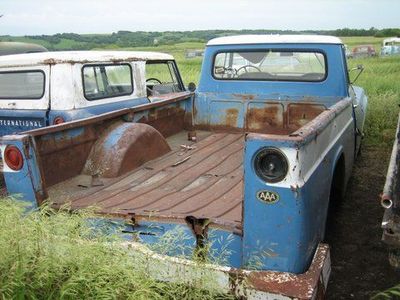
x=274 y=39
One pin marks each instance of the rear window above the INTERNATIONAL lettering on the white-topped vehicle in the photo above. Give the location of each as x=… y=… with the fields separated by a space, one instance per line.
x=22 y=85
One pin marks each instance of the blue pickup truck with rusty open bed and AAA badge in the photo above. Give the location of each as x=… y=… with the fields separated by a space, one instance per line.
x=256 y=155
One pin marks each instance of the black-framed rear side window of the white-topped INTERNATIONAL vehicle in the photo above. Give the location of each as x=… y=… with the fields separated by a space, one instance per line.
x=107 y=81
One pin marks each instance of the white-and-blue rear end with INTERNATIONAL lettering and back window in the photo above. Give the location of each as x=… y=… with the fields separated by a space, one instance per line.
x=24 y=98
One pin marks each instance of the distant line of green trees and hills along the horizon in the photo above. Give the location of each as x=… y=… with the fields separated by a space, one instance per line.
x=123 y=39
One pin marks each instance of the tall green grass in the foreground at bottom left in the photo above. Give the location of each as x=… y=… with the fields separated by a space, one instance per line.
x=48 y=255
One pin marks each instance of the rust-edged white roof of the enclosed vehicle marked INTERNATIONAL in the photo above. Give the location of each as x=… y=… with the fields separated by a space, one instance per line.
x=72 y=57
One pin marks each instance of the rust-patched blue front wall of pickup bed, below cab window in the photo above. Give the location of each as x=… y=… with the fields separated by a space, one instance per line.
x=267 y=116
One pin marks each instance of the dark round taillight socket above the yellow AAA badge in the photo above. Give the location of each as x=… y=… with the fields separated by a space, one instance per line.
x=271 y=165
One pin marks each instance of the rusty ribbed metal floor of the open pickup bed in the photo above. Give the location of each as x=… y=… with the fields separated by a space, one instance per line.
x=202 y=179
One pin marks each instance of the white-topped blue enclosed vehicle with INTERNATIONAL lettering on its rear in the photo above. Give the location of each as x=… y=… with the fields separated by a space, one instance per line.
x=49 y=88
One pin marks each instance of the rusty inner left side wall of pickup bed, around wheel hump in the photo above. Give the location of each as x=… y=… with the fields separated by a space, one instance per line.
x=66 y=147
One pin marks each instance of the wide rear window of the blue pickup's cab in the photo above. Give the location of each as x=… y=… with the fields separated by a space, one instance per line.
x=270 y=65
